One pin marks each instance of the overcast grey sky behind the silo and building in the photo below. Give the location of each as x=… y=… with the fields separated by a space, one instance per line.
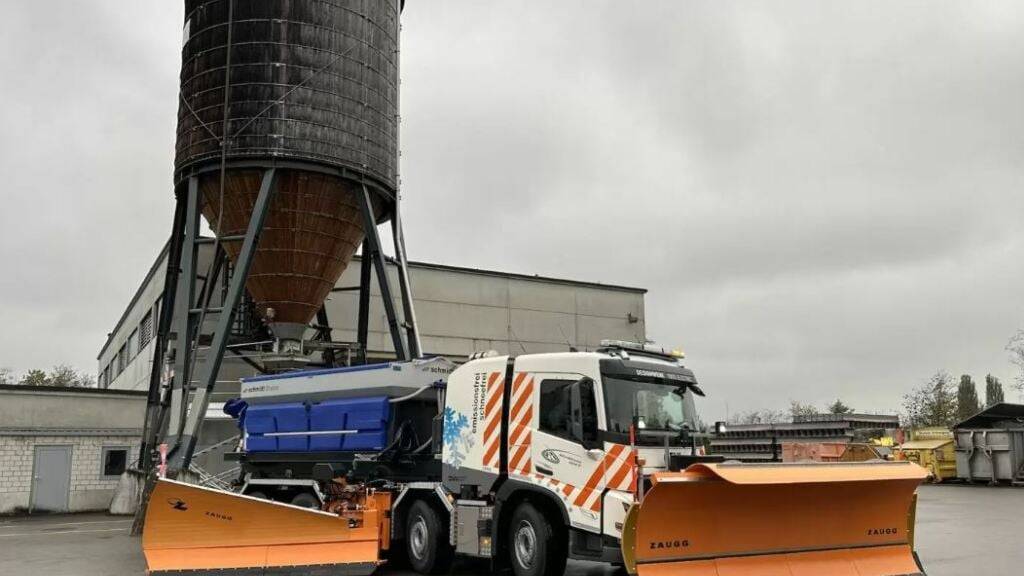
x=825 y=199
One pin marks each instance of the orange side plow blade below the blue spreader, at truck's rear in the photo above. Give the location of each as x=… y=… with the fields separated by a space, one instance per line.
x=191 y=528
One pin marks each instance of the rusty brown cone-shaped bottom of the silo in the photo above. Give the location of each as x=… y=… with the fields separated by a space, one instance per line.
x=311 y=233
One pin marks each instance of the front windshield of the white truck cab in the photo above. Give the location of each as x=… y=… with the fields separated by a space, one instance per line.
x=658 y=405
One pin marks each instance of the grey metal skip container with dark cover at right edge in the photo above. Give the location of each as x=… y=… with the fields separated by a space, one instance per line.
x=991 y=445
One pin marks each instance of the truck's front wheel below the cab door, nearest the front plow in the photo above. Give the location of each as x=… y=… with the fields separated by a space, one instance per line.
x=535 y=549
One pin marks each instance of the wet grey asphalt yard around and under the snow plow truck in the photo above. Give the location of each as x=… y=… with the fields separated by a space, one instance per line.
x=962 y=530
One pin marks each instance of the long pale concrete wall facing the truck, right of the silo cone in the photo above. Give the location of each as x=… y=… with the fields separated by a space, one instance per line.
x=460 y=312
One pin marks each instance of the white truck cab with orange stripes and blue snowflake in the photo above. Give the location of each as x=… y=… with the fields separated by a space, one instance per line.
x=561 y=432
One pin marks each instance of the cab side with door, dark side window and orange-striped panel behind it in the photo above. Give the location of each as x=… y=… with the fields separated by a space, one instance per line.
x=553 y=441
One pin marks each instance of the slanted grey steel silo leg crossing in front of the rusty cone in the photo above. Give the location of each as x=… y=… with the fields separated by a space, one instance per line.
x=182 y=458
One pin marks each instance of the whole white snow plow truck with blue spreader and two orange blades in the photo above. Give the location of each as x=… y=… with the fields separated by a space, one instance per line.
x=525 y=462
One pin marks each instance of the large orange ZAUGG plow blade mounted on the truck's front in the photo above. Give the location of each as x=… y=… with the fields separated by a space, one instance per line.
x=786 y=520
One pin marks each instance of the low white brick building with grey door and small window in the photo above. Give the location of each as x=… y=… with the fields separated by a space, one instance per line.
x=64 y=449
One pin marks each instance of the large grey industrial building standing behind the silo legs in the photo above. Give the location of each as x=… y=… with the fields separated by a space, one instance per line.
x=460 y=311
